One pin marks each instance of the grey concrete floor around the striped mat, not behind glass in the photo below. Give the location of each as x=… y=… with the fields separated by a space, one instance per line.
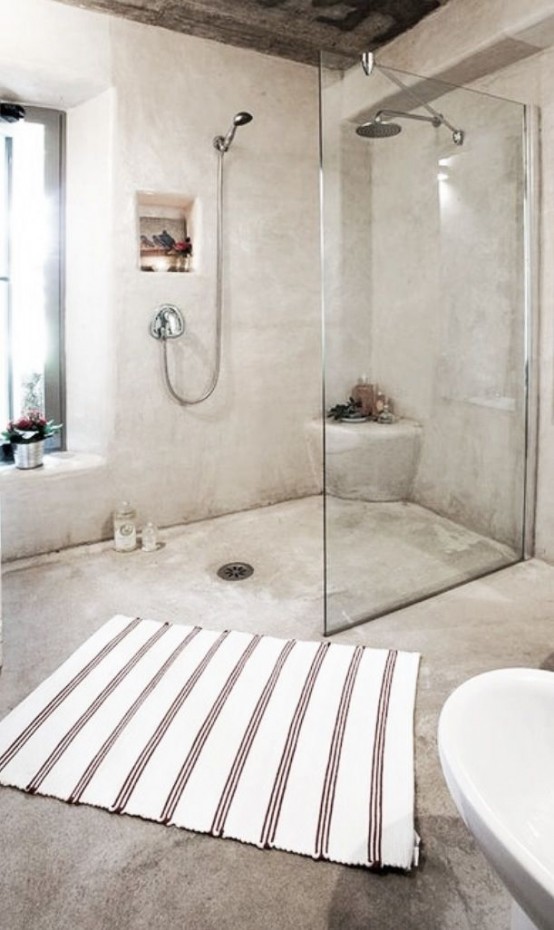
x=77 y=868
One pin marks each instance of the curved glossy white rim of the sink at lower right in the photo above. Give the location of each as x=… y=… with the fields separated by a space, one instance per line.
x=528 y=879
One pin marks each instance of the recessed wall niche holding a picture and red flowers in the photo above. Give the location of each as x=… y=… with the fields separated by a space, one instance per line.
x=165 y=232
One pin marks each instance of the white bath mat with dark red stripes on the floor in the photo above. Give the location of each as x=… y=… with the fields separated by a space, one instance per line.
x=300 y=746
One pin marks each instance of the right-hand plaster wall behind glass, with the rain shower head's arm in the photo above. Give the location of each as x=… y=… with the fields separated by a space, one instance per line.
x=448 y=307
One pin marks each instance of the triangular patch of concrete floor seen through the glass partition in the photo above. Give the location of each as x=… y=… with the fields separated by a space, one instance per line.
x=381 y=556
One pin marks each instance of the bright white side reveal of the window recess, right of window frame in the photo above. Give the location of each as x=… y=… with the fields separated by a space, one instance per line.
x=90 y=324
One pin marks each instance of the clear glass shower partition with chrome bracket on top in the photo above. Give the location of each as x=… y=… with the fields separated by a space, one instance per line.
x=426 y=337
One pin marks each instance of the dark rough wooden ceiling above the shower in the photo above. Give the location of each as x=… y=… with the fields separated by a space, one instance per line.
x=295 y=29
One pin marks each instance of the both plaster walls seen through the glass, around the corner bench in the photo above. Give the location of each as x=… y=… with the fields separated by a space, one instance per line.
x=432 y=287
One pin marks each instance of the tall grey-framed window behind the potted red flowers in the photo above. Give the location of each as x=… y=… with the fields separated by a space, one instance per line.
x=31 y=331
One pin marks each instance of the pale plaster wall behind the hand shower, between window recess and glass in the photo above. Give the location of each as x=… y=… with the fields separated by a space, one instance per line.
x=246 y=445
